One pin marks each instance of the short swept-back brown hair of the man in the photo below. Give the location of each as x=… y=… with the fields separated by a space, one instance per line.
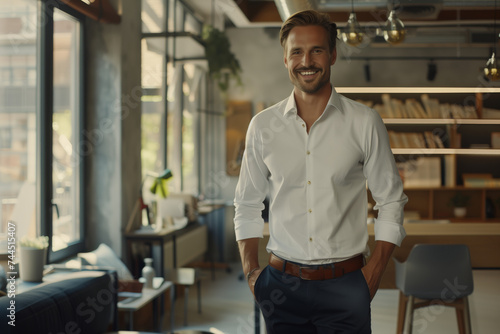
x=309 y=18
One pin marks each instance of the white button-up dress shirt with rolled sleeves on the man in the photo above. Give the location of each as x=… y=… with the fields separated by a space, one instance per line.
x=316 y=182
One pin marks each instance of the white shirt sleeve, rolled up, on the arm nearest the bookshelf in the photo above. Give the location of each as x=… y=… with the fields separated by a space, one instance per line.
x=384 y=182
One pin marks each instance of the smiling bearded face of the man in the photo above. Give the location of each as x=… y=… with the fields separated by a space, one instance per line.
x=308 y=58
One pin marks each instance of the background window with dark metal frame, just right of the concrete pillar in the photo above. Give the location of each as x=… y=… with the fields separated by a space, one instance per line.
x=173 y=80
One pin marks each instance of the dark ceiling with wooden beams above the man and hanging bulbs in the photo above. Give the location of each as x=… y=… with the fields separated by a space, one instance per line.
x=428 y=22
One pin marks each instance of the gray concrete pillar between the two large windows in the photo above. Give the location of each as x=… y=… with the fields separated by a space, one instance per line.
x=113 y=171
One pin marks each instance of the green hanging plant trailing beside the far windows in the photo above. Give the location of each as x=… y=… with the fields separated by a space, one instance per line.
x=222 y=63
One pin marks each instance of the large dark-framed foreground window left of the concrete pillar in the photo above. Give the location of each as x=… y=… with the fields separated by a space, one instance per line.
x=40 y=122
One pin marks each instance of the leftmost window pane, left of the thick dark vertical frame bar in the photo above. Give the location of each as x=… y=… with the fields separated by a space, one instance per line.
x=18 y=122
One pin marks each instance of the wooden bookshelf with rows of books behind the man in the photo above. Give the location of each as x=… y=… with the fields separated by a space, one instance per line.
x=462 y=149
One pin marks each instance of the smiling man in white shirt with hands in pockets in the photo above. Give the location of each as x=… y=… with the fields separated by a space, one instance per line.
x=314 y=169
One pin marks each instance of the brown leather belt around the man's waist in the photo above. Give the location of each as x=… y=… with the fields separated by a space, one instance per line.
x=317 y=272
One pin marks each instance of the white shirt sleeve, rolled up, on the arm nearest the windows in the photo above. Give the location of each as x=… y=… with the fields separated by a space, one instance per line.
x=252 y=188
